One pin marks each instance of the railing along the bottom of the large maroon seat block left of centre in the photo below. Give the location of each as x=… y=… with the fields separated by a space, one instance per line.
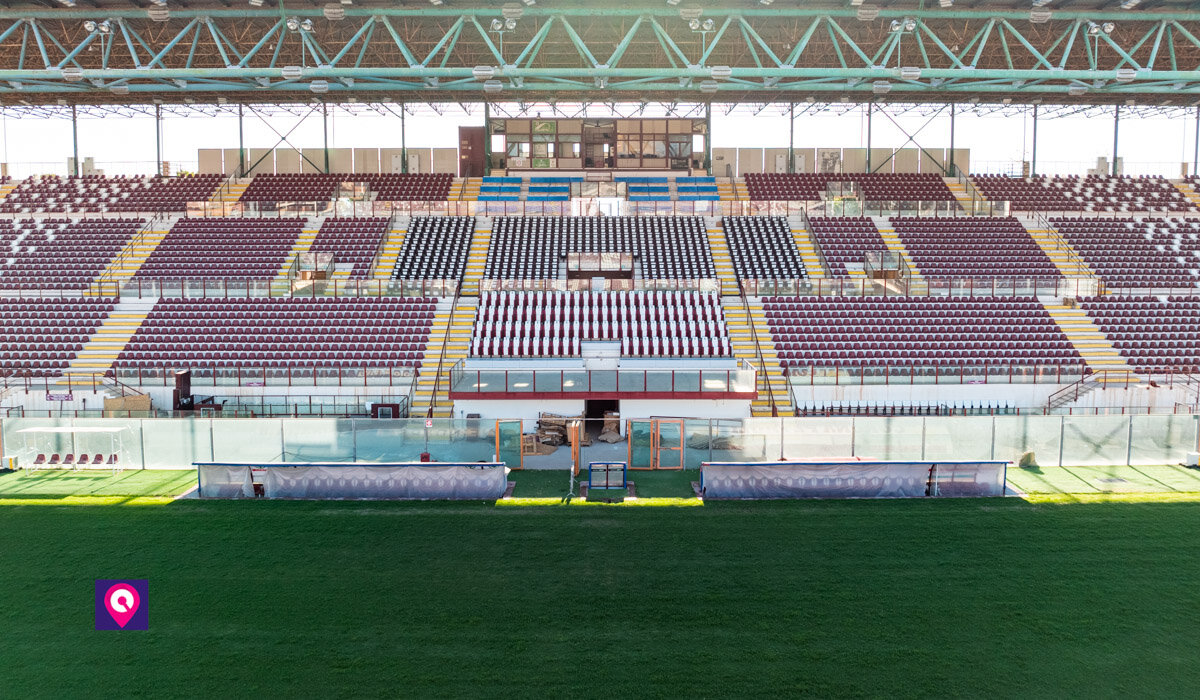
x=265 y=376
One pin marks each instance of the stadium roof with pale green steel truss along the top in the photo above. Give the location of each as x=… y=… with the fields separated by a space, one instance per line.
x=1070 y=52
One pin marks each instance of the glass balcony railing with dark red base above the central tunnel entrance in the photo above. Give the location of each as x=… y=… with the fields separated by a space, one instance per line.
x=676 y=384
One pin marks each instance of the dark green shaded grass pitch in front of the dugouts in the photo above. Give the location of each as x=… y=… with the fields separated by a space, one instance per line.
x=319 y=600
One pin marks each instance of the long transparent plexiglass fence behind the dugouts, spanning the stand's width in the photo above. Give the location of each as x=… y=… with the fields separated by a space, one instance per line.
x=1037 y=440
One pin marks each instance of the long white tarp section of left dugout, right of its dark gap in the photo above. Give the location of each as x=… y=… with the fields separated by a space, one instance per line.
x=427 y=482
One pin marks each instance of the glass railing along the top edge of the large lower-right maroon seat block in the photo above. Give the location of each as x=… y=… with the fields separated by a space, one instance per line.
x=927 y=288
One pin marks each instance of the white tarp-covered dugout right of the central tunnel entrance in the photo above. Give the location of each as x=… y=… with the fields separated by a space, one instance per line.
x=851 y=480
